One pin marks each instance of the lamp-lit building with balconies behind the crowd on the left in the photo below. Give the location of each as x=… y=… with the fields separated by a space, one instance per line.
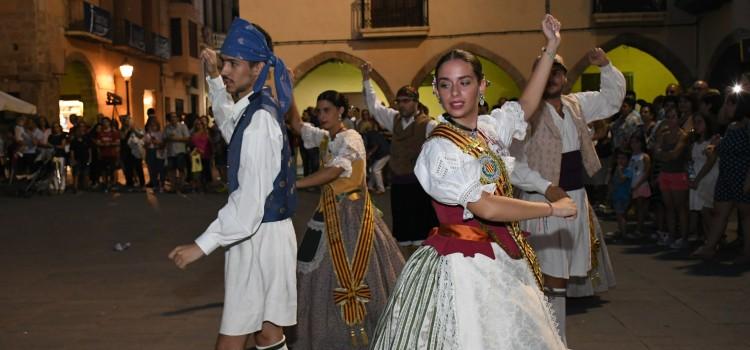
x=68 y=53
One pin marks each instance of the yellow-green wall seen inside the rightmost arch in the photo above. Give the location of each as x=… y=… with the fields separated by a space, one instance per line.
x=650 y=77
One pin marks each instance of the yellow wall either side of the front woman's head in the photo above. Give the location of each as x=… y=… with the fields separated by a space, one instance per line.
x=501 y=85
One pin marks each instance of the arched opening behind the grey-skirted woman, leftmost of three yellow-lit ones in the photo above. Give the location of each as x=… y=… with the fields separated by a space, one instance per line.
x=335 y=71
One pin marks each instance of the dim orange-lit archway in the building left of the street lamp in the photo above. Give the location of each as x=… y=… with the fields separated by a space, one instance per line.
x=78 y=83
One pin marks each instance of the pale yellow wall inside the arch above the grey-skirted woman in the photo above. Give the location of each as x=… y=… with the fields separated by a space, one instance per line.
x=342 y=77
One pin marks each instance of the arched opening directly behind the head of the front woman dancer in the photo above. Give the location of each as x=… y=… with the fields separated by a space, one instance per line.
x=505 y=80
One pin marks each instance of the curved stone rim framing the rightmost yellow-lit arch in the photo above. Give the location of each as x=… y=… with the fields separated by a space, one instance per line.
x=650 y=46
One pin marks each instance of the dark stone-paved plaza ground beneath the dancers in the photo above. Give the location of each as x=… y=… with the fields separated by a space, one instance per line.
x=64 y=287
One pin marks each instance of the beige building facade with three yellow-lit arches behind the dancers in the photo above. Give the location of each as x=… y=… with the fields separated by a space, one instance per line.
x=403 y=39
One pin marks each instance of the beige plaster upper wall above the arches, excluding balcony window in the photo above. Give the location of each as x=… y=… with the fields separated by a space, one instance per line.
x=506 y=29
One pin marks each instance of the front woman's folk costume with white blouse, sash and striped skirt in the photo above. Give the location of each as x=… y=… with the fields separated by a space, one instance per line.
x=474 y=284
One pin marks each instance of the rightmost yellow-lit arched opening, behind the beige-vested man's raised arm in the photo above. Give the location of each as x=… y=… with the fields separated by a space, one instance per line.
x=644 y=73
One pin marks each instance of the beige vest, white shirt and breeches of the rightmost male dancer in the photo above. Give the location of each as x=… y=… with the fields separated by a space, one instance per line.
x=560 y=148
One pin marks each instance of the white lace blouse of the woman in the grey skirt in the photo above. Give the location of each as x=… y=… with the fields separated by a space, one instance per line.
x=345 y=148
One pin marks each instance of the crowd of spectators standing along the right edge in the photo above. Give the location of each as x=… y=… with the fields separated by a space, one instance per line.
x=683 y=157
